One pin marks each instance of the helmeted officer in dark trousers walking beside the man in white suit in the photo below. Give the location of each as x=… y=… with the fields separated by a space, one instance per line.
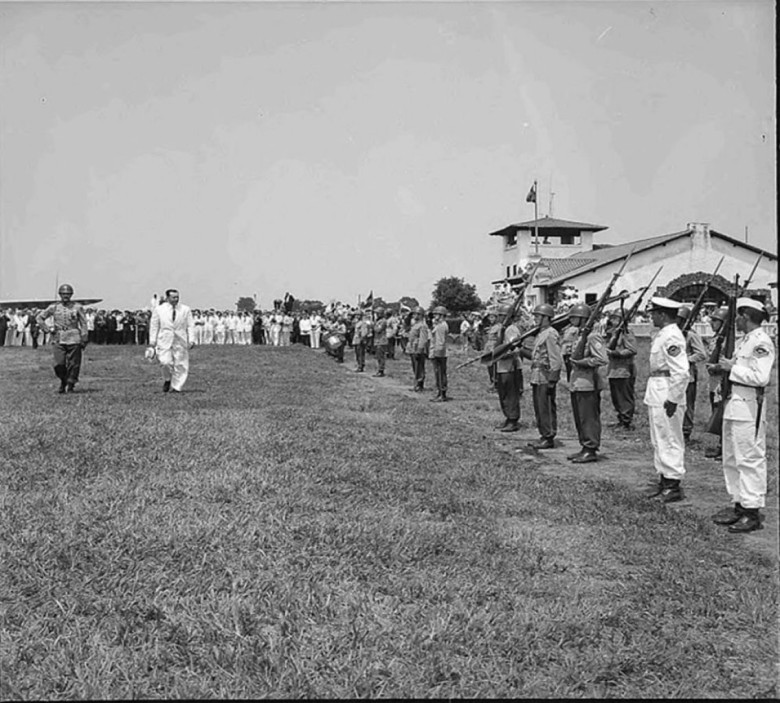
x=70 y=337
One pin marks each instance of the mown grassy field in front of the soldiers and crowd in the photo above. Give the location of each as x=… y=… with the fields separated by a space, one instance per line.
x=288 y=528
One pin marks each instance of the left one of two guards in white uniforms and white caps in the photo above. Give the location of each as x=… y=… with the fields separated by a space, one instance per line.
x=665 y=399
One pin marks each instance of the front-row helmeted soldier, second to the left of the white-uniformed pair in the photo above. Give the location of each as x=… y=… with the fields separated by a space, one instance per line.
x=546 y=365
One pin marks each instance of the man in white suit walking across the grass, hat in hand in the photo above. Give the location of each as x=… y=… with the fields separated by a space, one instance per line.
x=171 y=336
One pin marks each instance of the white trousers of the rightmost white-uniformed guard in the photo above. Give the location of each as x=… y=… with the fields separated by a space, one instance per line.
x=744 y=461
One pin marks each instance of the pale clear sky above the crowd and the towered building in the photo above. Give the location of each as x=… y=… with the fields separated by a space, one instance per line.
x=330 y=149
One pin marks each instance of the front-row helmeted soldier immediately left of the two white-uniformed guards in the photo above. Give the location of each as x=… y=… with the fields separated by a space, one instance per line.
x=585 y=389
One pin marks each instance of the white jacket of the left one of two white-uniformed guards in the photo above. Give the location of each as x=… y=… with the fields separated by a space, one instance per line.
x=669 y=369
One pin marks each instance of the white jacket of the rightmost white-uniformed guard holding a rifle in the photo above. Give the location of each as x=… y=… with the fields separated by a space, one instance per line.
x=753 y=359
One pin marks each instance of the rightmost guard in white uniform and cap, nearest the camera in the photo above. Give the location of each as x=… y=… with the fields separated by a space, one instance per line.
x=744 y=419
